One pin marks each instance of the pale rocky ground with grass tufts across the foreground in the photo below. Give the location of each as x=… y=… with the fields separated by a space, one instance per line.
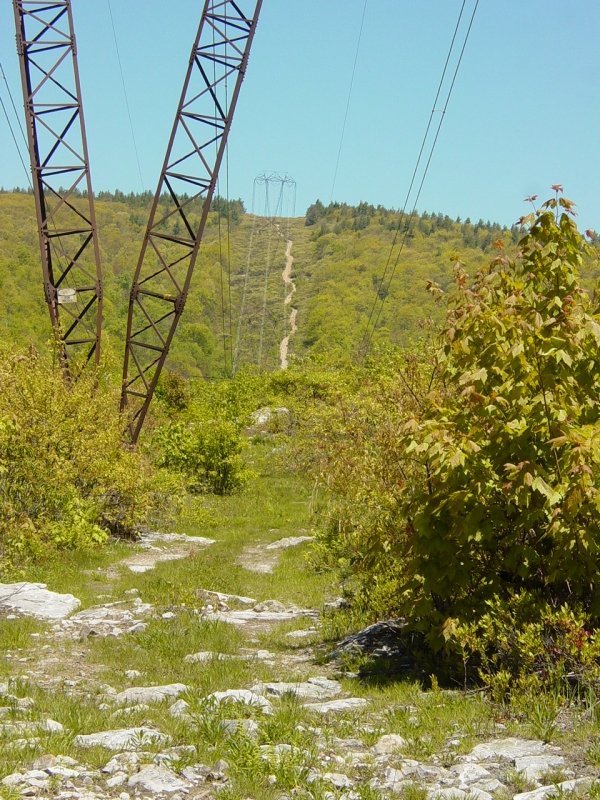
x=246 y=707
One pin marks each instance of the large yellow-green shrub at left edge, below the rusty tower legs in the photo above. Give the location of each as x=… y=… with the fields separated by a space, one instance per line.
x=65 y=478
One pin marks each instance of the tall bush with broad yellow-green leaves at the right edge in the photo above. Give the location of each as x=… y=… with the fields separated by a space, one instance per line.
x=510 y=491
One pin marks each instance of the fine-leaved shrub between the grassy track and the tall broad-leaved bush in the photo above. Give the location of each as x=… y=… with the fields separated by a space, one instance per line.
x=349 y=440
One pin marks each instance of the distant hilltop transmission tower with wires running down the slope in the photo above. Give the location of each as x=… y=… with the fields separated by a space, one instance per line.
x=257 y=328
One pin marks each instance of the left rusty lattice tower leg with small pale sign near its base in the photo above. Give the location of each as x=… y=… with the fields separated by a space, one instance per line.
x=61 y=177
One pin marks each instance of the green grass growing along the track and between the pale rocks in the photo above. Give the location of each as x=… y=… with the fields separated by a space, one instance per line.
x=437 y=726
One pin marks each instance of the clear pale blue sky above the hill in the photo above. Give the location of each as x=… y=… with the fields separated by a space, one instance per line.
x=525 y=112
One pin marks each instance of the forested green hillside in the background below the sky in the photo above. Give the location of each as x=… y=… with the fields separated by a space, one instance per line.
x=235 y=312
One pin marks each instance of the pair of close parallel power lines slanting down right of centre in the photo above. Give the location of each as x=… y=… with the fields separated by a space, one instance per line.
x=367 y=337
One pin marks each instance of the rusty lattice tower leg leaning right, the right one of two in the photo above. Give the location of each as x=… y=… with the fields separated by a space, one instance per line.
x=182 y=200
